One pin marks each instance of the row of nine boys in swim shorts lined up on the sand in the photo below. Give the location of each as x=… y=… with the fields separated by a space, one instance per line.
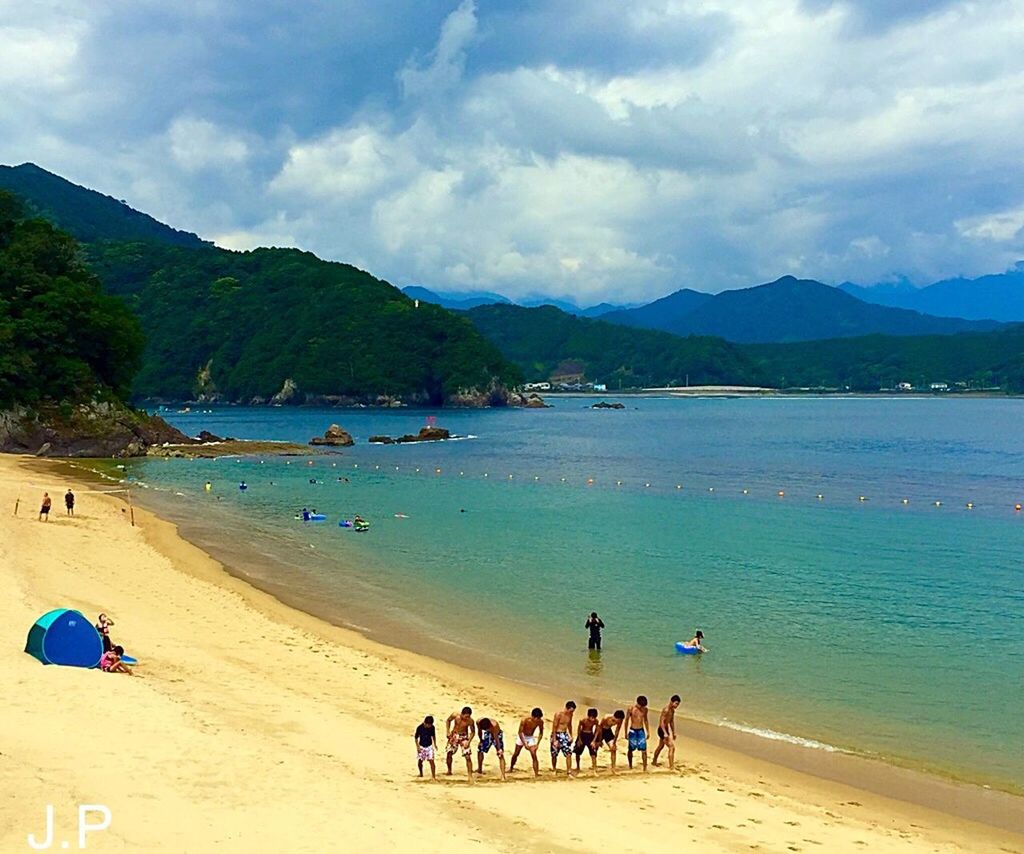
x=591 y=734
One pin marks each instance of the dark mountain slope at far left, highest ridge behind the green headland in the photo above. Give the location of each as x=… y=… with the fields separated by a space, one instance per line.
x=84 y=213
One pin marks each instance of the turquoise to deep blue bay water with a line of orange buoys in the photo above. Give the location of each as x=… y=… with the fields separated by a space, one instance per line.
x=854 y=622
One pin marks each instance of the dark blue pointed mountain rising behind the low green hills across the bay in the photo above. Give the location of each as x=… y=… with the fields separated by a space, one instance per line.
x=788 y=310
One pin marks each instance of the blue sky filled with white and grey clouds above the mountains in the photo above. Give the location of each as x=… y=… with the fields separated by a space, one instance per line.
x=586 y=149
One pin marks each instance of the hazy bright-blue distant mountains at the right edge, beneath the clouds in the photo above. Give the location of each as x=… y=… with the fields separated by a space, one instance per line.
x=998 y=297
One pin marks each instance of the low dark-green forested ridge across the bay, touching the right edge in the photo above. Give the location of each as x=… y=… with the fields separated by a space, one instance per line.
x=979 y=360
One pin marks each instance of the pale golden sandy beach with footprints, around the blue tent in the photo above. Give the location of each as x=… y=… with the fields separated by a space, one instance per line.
x=255 y=727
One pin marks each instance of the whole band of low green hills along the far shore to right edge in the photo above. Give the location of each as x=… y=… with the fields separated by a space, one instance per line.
x=542 y=340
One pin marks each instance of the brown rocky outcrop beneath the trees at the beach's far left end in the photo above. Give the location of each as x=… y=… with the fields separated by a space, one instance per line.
x=95 y=430
